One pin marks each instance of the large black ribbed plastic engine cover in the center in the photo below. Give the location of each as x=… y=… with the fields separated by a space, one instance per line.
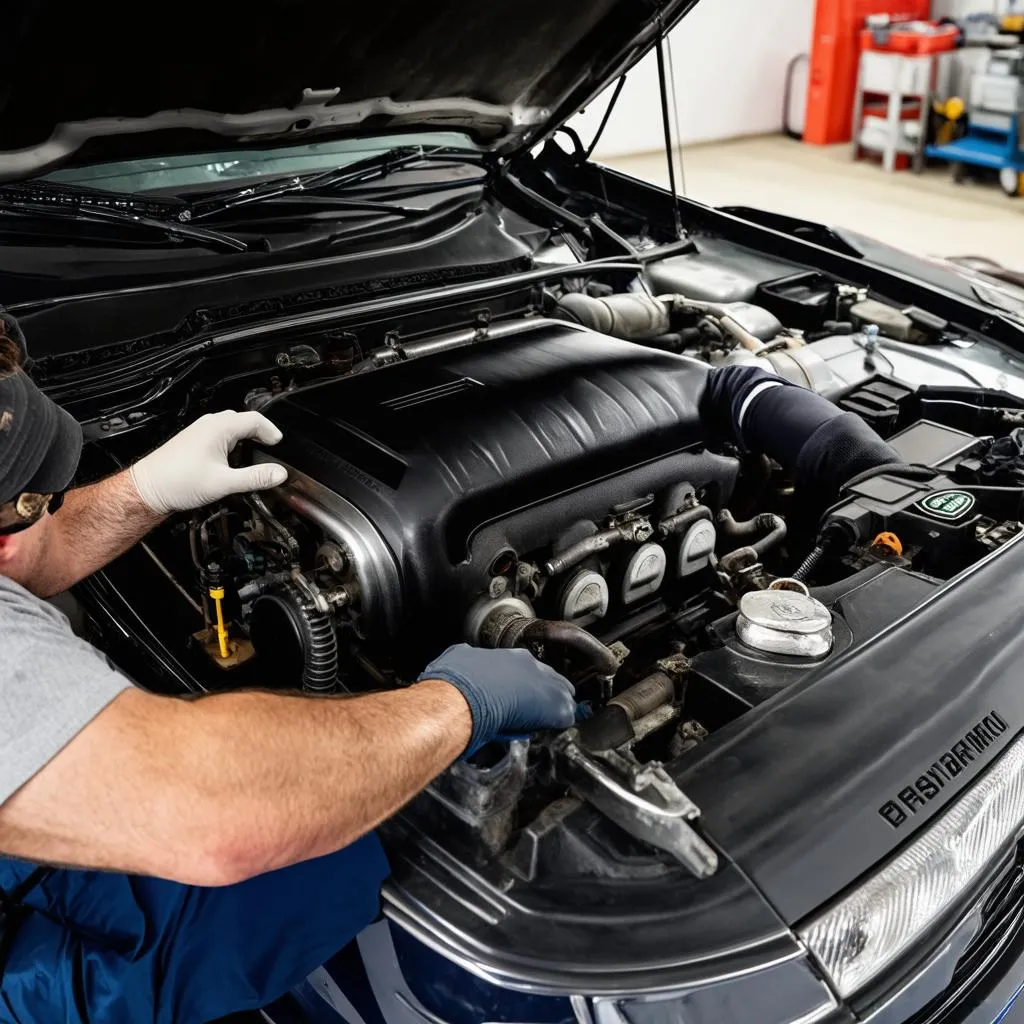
x=461 y=455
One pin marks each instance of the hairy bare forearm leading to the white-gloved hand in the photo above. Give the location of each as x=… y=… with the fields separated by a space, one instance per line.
x=95 y=526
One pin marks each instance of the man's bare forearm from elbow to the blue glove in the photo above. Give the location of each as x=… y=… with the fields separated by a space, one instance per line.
x=297 y=779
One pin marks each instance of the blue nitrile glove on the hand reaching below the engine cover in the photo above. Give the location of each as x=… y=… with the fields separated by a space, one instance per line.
x=510 y=694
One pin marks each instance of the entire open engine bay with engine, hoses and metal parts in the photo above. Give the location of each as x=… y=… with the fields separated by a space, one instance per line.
x=689 y=476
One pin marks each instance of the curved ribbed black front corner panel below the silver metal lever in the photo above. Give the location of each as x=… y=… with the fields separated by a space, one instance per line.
x=585 y=934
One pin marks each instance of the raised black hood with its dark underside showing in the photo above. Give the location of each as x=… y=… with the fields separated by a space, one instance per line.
x=87 y=83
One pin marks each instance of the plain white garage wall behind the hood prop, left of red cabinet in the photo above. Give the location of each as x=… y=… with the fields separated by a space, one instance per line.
x=731 y=59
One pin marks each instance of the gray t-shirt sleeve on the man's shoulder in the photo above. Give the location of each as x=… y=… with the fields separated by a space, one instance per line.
x=53 y=685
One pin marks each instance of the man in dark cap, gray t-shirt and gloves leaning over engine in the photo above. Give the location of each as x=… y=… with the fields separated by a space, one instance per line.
x=223 y=847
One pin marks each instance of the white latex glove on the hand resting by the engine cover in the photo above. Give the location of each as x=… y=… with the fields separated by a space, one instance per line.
x=192 y=471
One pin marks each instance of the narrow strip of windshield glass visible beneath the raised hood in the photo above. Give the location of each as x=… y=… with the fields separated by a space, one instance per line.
x=184 y=173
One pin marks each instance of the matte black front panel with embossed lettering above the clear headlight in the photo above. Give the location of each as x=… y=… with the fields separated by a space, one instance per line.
x=794 y=789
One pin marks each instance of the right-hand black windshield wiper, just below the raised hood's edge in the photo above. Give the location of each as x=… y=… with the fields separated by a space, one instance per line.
x=378 y=166
